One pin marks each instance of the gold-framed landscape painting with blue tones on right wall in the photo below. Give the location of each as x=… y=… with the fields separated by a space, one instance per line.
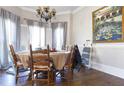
x=108 y=24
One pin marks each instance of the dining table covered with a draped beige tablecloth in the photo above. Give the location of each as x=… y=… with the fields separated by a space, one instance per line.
x=59 y=58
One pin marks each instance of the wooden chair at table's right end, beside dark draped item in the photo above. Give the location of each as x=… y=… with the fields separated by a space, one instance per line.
x=70 y=60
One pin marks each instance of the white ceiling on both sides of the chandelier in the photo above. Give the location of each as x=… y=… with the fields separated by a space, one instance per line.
x=59 y=9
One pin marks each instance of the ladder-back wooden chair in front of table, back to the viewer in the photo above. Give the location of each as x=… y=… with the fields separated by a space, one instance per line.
x=41 y=66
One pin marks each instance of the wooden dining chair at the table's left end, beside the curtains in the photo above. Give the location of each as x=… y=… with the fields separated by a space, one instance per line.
x=17 y=63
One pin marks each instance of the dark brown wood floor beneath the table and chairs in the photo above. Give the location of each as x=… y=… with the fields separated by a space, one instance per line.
x=83 y=78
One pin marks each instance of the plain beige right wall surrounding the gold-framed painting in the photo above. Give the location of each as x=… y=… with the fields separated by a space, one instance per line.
x=111 y=54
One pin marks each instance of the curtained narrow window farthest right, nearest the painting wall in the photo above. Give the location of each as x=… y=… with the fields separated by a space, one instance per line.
x=59 y=34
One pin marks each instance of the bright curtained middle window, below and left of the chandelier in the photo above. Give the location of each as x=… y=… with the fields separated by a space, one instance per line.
x=37 y=34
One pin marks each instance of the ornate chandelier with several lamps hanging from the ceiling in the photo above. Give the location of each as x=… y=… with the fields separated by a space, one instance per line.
x=45 y=14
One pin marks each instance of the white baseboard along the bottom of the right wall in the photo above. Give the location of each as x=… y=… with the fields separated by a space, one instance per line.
x=109 y=69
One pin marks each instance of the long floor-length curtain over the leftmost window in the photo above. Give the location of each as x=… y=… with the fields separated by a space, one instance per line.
x=9 y=34
